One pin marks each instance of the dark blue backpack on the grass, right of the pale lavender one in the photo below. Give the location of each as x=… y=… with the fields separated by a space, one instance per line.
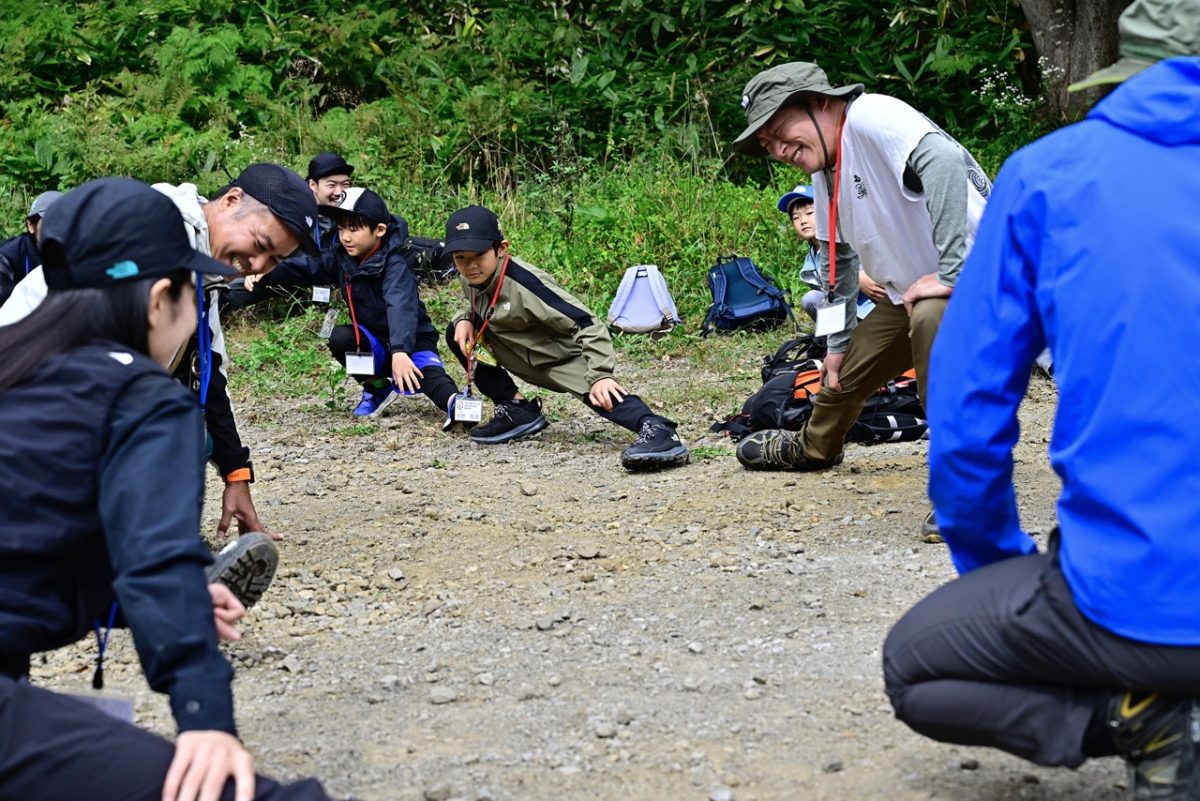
x=743 y=298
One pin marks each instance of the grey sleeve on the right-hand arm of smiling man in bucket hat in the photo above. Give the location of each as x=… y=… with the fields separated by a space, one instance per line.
x=939 y=165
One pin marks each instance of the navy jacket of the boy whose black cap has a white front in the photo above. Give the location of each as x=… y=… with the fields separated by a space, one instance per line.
x=381 y=291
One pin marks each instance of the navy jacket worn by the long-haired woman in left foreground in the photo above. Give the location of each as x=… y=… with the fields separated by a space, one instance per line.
x=103 y=465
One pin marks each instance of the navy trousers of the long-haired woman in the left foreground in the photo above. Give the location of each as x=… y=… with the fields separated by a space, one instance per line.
x=53 y=748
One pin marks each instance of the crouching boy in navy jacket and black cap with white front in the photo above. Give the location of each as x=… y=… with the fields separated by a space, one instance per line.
x=391 y=347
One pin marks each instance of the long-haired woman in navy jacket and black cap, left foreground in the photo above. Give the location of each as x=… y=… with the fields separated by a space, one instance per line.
x=103 y=462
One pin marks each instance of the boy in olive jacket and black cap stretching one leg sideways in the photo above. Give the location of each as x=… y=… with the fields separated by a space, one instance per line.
x=536 y=330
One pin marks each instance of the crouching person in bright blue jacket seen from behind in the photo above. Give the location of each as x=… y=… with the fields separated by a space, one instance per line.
x=1093 y=648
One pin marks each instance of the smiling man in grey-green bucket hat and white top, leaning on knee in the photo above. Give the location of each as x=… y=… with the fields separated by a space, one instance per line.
x=907 y=200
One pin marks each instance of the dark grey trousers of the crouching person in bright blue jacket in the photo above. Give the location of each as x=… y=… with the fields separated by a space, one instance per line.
x=1003 y=658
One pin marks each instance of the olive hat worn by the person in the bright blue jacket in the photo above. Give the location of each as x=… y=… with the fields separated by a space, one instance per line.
x=1151 y=31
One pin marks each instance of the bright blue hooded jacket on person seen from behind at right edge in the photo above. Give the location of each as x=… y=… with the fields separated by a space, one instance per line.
x=1072 y=218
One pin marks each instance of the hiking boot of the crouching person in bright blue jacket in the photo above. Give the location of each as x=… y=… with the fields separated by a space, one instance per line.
x=1160 y=737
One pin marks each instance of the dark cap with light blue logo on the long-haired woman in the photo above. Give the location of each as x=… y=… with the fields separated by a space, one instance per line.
x=117 y=230
